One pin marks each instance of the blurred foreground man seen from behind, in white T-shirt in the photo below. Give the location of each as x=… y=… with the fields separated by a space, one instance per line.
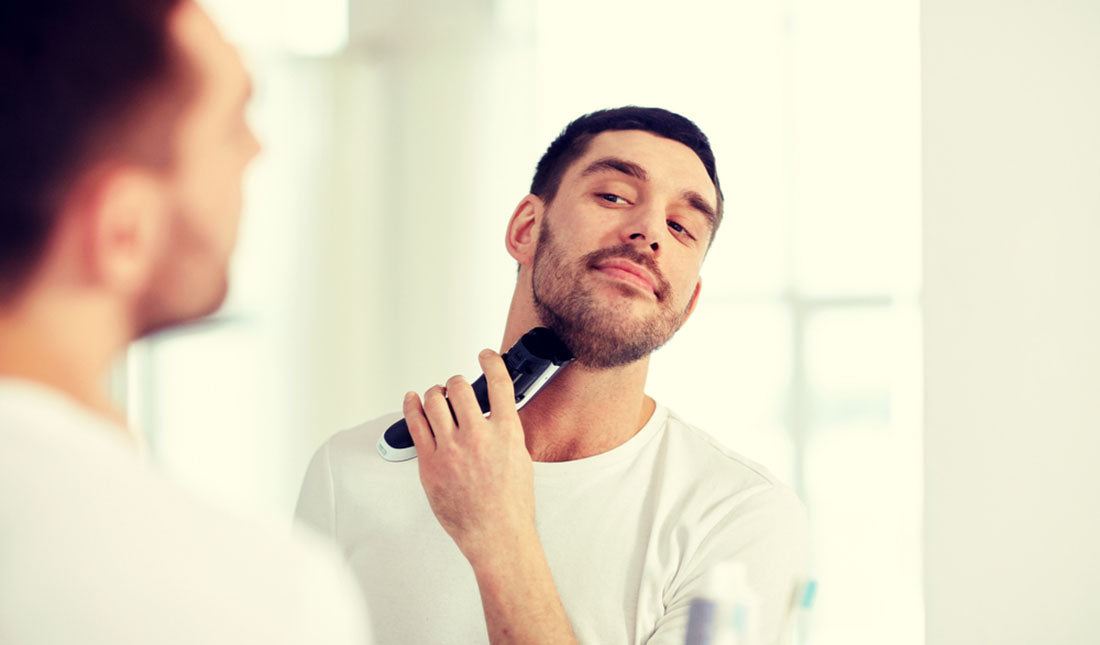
x=123 y=147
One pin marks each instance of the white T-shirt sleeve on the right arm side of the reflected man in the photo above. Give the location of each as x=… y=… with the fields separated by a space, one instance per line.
x=768 y=532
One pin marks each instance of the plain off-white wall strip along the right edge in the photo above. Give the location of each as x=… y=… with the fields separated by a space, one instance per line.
x=1013 y=321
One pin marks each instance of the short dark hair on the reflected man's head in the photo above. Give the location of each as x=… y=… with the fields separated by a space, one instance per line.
x=575 y=140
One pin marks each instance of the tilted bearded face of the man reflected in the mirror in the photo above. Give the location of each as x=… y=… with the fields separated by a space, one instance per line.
x=620 y=247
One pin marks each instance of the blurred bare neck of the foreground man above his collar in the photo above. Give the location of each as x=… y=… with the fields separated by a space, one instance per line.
x=63 y=341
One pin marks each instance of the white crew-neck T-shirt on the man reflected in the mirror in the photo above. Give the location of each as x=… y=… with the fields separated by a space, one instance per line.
x=630 y=535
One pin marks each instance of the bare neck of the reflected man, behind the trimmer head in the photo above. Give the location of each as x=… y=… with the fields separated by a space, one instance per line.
x=584 y=412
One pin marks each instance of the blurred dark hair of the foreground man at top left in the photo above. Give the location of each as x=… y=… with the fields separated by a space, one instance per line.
x=80 y=78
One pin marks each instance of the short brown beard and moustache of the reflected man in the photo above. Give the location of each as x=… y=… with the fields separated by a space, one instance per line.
x=601 y=334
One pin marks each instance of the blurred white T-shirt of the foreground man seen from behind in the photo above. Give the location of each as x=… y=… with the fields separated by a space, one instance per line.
x=97 y=549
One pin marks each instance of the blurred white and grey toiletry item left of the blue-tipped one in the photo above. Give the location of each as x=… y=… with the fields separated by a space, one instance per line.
x=728 y=611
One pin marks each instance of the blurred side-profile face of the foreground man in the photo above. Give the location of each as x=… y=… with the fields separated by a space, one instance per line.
x=214 y=146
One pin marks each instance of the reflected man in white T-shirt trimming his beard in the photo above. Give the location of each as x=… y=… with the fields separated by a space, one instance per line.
x=593 y=515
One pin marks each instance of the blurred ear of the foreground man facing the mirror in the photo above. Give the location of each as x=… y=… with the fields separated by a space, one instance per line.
x=128 y=215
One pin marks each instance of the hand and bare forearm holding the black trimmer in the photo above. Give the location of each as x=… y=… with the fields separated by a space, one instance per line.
x=480 y=483
